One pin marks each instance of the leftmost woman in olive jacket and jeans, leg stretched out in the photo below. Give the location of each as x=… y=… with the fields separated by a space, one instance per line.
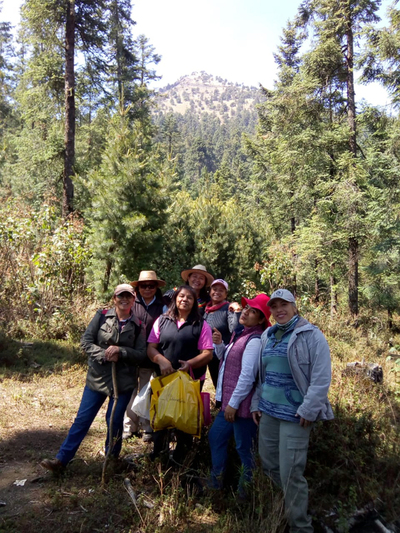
x=113 y=336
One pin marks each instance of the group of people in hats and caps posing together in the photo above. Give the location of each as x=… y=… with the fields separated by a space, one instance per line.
x=271 y=381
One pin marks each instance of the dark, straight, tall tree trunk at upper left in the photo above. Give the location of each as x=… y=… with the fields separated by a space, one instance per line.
x=69 y=139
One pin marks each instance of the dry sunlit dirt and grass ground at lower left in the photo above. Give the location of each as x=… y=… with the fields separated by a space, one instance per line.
x=35 y=415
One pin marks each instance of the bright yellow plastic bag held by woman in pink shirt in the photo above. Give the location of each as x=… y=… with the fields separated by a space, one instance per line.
x=176 y=403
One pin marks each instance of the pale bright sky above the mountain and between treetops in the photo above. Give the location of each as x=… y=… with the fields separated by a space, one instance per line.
x=234 y=39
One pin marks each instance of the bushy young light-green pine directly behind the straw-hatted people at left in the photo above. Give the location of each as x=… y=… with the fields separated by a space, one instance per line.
x=128 y=206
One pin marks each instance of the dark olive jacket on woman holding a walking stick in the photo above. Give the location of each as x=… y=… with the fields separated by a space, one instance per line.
x=102 y=332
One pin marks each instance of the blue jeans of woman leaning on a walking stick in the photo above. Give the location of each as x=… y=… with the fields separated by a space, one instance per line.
x=88 y=409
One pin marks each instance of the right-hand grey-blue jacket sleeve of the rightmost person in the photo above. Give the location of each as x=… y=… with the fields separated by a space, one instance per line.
x=320 y=380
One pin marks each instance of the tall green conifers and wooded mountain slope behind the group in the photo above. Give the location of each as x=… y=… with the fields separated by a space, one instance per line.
x=301 y=190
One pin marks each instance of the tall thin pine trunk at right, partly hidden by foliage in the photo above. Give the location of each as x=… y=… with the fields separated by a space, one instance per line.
x=351 y=116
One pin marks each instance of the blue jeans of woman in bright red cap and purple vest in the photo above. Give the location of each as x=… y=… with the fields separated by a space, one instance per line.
x=244 y=430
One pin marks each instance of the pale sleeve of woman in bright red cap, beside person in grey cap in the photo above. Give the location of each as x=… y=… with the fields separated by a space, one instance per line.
x=248 y=373
